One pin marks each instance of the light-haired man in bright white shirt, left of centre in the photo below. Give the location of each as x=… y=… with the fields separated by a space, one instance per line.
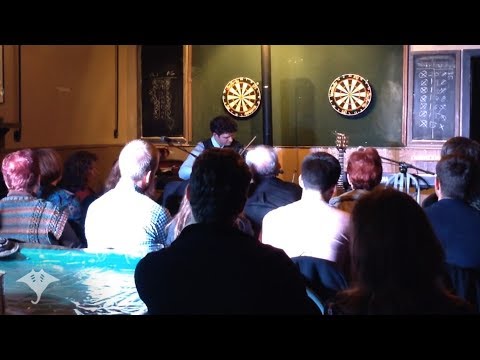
x=125 y=218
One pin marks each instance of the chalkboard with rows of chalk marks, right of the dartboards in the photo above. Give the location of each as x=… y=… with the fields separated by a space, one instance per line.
x=434 y=86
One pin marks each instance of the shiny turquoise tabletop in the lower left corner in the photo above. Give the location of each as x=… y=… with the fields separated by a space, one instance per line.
x=70 y=281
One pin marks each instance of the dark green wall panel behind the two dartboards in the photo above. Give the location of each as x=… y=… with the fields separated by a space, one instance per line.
x=301 y=76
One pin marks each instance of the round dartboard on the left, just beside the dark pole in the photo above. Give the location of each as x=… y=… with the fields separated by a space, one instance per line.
x=241 y=97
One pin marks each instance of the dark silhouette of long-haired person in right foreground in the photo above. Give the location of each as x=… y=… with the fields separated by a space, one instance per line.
x=397 y=261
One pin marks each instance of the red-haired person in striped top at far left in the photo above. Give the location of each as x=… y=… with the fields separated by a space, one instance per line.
x=23 y=216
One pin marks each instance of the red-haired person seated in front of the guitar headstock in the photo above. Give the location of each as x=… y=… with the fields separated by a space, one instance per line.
x=364 y=173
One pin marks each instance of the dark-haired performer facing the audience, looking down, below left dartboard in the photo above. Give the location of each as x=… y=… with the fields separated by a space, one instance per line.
x=223 y=130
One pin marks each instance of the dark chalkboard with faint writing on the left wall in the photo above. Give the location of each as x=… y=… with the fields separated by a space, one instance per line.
x=162 y=90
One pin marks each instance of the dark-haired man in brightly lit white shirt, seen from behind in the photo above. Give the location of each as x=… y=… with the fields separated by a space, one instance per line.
x=311 y=227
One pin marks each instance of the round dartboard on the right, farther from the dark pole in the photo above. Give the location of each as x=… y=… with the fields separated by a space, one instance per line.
x=350 y=94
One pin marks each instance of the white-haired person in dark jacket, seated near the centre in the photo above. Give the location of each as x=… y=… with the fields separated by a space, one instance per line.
x=267 y=192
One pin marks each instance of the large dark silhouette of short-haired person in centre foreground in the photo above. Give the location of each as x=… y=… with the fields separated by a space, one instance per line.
x=214 y=268
